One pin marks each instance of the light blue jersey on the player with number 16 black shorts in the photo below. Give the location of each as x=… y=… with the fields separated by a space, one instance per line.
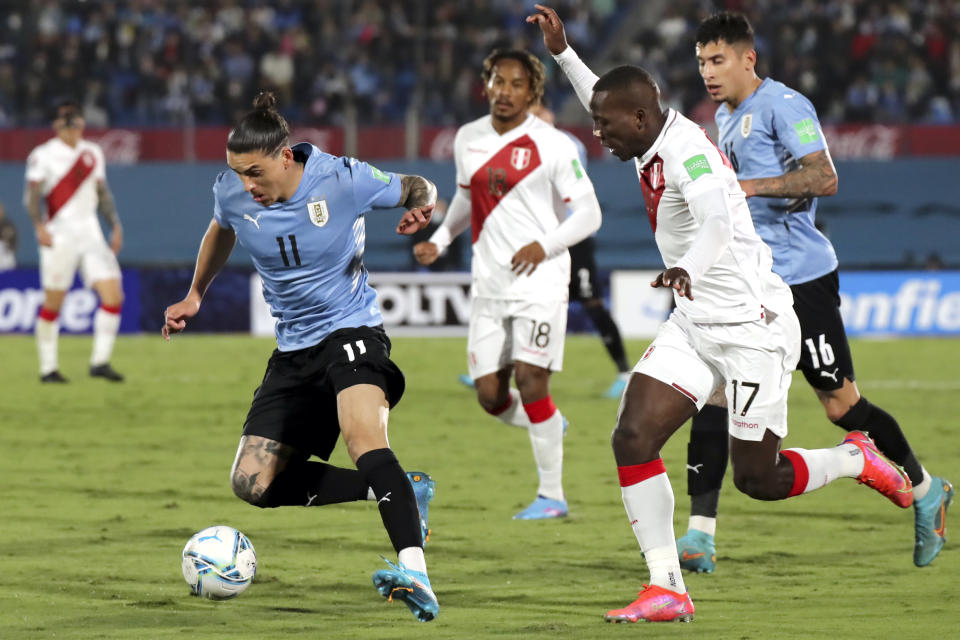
x=765 y=137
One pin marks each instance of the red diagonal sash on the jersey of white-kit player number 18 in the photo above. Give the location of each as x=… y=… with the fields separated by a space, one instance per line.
x=495 y=179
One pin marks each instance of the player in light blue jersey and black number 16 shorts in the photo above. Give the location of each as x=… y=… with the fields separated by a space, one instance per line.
x=772 y=136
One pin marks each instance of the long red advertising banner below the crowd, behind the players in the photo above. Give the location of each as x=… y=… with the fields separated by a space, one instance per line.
x=206 y=144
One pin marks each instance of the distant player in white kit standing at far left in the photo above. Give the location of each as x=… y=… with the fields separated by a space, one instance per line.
x=66 y=185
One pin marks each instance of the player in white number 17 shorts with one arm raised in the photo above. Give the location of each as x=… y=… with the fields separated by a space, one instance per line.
x=734 y=327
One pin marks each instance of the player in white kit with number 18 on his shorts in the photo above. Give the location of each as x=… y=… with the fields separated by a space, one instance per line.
x=516 y=178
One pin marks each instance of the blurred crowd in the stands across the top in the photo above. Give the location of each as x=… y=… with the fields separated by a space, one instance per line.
x=175 y=62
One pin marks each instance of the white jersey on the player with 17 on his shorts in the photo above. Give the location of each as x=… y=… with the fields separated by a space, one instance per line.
x=681 y=164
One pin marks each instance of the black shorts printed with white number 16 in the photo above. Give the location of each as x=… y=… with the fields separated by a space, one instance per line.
x=825 y=358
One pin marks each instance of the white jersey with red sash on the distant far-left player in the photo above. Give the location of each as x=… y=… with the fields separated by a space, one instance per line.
x=69 y=176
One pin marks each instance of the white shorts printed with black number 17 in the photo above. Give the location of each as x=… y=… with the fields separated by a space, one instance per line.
x=755 y=360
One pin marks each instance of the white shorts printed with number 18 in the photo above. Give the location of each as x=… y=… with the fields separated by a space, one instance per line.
x=505 y=331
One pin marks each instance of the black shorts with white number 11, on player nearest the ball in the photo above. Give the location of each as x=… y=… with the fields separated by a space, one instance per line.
x=296 y=403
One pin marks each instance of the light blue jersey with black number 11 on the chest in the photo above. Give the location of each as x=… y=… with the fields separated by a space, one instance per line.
x=309 y=249
